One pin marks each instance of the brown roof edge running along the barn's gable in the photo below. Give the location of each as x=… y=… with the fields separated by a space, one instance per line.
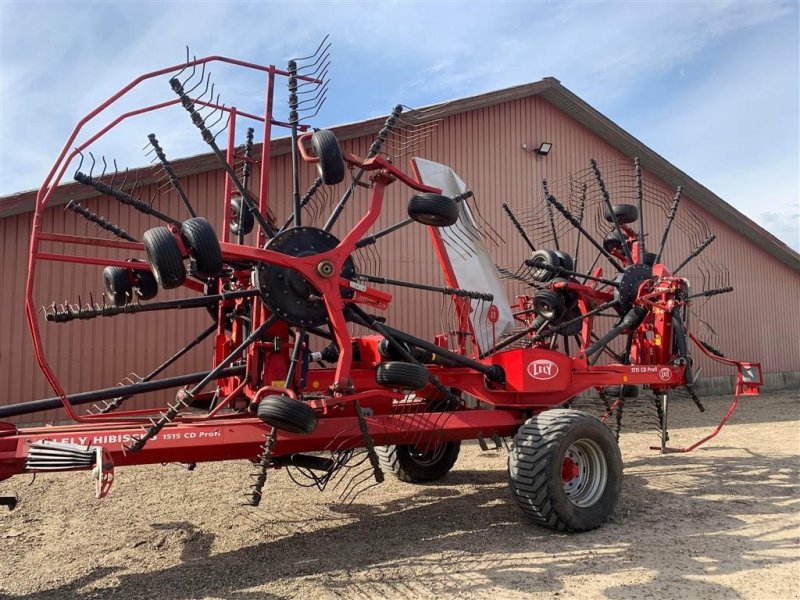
x=551 y=90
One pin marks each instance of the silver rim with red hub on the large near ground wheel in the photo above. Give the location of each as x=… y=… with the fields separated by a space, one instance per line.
x=584 y=473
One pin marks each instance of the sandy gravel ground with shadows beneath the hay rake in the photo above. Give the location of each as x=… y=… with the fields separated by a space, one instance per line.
x=721 y=522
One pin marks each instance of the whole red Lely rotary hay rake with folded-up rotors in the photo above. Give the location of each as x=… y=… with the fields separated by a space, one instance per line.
x=292 y=385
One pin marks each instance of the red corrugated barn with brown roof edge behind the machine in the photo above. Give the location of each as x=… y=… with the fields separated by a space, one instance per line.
x=487 y=139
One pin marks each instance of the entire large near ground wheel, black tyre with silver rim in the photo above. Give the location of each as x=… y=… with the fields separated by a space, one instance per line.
x=548 y=444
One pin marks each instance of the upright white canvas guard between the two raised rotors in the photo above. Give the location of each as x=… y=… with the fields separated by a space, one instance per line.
x=472 y=264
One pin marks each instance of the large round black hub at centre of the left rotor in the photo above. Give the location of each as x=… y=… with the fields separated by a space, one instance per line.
x=286 y=292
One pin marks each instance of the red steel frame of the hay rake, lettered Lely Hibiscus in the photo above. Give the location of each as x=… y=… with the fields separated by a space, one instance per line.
x=222 y=436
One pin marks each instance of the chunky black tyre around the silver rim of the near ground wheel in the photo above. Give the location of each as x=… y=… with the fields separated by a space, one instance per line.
x=534 y=469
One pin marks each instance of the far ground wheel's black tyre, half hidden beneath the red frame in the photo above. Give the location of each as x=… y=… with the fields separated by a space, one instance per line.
x=412 y=465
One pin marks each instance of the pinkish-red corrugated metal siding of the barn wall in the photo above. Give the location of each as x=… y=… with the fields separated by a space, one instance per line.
x=483 y=146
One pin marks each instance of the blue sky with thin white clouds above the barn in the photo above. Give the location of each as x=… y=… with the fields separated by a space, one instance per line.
x=714 y=87
